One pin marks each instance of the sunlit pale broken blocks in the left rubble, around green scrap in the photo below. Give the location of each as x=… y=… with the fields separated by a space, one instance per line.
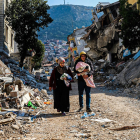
x=18 y=96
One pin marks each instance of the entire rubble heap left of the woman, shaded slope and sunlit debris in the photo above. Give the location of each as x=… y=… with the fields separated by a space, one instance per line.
x=22 y=98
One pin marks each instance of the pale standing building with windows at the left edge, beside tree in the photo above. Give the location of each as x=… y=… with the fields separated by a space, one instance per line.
x=7 y=43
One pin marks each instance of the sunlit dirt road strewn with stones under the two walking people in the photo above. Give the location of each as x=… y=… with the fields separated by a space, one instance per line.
x=118 y=109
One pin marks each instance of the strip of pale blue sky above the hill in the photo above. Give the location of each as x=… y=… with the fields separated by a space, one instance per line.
x=78 y=2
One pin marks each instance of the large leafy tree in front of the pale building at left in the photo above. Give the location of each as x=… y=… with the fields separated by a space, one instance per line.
x=26 y=17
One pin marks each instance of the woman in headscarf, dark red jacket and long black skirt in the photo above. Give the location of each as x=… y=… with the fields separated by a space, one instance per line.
x=60 y=90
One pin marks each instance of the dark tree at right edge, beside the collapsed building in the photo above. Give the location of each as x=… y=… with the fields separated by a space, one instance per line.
x=130 y=30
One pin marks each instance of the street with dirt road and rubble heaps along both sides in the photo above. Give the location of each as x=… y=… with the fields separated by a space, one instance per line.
x=26 y=106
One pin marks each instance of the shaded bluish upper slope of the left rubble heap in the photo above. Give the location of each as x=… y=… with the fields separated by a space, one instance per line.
x=12 y=69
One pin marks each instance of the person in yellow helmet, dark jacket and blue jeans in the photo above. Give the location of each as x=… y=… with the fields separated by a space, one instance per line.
x=82 y=84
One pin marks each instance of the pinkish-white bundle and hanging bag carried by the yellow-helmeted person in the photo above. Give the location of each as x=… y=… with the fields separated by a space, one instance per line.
x=80 y=67
